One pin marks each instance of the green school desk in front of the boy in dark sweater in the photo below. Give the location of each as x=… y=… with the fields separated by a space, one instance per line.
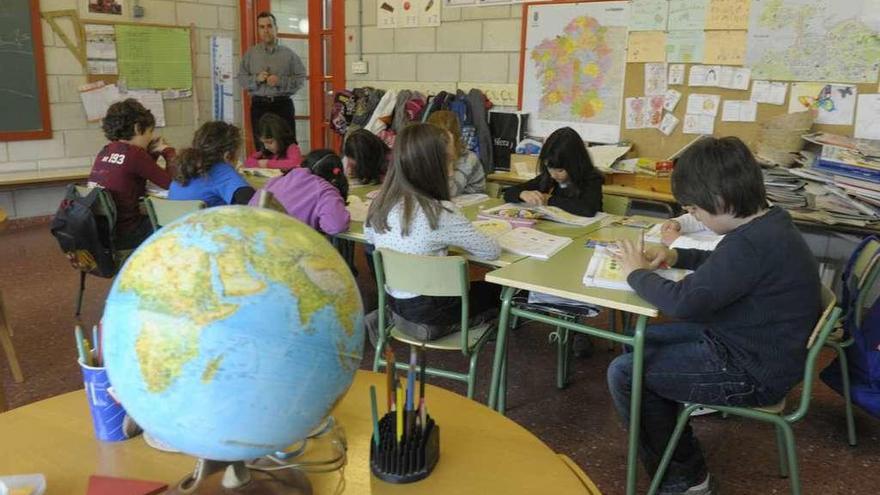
x=562 y=276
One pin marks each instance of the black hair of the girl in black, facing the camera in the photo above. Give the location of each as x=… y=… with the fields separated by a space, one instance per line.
x=565 y=149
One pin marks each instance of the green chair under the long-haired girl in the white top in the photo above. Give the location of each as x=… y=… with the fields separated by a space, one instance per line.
x=430 y=276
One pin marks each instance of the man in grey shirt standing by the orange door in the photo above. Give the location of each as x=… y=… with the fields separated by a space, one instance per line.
x=272 y=74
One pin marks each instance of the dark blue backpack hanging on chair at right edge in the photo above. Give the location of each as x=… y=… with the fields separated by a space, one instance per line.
x=863 y=356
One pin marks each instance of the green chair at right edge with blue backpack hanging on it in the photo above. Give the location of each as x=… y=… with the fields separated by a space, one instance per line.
x=866 y=271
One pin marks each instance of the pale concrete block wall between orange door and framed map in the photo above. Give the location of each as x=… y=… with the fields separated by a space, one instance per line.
x=473 y=44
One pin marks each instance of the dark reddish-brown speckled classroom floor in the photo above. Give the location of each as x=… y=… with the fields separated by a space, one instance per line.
x=39 y=288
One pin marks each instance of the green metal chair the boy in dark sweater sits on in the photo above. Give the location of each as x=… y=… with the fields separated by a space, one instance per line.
x=773 y=414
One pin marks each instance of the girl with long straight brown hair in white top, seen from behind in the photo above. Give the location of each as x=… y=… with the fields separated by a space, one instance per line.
x=412 y=214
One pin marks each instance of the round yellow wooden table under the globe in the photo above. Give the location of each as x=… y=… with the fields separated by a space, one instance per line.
x=481 y=451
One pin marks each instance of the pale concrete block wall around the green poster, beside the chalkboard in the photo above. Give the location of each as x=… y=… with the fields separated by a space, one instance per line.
x=74 y=141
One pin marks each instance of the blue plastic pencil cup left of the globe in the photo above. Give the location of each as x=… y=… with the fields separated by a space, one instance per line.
x=108 y=415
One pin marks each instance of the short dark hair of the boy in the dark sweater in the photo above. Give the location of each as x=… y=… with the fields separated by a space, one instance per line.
x=720 y=175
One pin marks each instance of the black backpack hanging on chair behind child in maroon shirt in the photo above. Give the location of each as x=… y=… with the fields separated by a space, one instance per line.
x=85 y=237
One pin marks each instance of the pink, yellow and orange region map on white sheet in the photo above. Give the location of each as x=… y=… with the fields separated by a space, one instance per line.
x=573 y=68
